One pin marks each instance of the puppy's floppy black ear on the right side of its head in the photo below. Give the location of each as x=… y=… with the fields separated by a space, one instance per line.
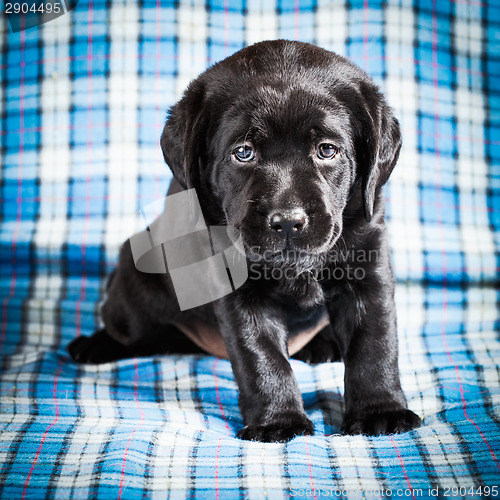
x=378 y=147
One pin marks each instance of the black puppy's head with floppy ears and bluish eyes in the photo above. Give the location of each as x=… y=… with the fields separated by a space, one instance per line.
x=278 y=140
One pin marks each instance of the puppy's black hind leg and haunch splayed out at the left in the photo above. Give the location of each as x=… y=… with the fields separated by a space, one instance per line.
x=136 y=314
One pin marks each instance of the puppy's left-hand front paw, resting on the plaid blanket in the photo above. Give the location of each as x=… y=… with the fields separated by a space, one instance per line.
x=280 y=430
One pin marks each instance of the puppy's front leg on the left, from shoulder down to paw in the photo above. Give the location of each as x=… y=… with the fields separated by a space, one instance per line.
x=256 y=340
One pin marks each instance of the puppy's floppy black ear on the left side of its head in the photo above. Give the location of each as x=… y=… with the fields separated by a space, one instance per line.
x=183 y=141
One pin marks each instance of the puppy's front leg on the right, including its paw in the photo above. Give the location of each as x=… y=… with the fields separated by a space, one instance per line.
x=366 y=324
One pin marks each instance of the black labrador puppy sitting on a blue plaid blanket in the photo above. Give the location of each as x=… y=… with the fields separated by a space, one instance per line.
x=290 y=144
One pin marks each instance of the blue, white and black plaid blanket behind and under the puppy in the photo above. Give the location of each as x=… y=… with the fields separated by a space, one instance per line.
x=83 y=100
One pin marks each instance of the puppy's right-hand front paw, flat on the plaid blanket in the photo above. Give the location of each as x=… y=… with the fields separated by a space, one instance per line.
x=379 y=422
